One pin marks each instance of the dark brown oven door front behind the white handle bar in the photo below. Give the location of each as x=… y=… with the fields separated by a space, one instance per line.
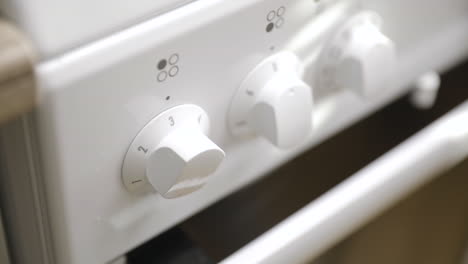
x=430 y=226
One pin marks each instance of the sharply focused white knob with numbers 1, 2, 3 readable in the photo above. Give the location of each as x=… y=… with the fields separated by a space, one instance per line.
x=172 y=154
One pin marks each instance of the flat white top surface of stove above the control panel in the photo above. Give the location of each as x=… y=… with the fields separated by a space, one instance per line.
x=57 y=26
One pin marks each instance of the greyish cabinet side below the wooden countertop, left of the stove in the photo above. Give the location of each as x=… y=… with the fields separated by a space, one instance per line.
x=22 y=195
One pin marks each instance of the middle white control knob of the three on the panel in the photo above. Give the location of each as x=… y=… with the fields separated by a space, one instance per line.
x=274 y=102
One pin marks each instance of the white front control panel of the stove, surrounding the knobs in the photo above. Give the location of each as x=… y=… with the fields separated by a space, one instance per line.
x=94 y=100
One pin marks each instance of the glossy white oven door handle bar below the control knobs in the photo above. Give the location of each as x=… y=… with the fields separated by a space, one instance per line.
x=357 y=200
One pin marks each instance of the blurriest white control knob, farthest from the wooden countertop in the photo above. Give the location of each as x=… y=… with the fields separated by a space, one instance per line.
x=360 y=57
